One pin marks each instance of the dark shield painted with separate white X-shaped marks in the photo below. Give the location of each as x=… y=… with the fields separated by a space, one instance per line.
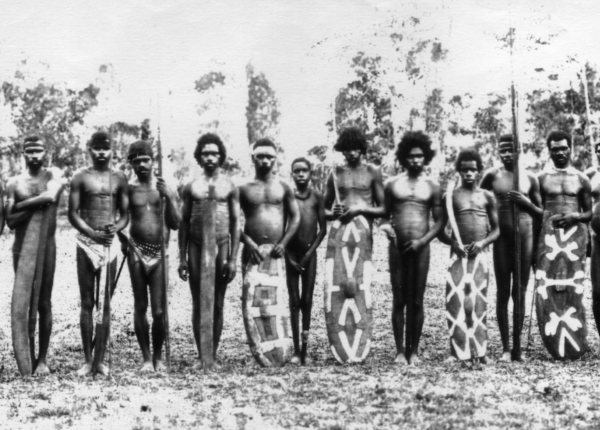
x=559 y=290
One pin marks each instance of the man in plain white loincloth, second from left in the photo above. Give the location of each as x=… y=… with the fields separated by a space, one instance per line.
x=90 y=204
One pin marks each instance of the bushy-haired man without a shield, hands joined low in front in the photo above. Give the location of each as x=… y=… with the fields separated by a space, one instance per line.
x=409 y=199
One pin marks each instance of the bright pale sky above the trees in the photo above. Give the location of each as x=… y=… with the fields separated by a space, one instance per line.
x=158 y=49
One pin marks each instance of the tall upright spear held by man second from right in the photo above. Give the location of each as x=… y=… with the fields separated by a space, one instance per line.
x=516 y=218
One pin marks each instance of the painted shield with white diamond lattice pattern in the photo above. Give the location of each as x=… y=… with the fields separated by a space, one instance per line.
x=466 y=306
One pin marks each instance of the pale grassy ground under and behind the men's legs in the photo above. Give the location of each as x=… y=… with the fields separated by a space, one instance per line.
x=540 y=393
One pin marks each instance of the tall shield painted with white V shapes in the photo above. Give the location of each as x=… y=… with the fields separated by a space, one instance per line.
x=348 y=304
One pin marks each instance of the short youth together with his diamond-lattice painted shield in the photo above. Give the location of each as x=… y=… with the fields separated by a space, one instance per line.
x=467 y=281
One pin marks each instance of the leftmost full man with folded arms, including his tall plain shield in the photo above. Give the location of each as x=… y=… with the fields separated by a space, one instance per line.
x=32 y=196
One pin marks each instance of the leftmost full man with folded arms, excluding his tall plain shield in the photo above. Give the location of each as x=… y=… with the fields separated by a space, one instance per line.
x=37 y=189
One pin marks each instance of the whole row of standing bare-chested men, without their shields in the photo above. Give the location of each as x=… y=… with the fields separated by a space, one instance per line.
x=102 y=202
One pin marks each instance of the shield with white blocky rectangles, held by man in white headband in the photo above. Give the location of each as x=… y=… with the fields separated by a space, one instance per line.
x=265 y=307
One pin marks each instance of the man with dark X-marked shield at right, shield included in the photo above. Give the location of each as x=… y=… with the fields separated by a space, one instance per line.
x=567 y=203
